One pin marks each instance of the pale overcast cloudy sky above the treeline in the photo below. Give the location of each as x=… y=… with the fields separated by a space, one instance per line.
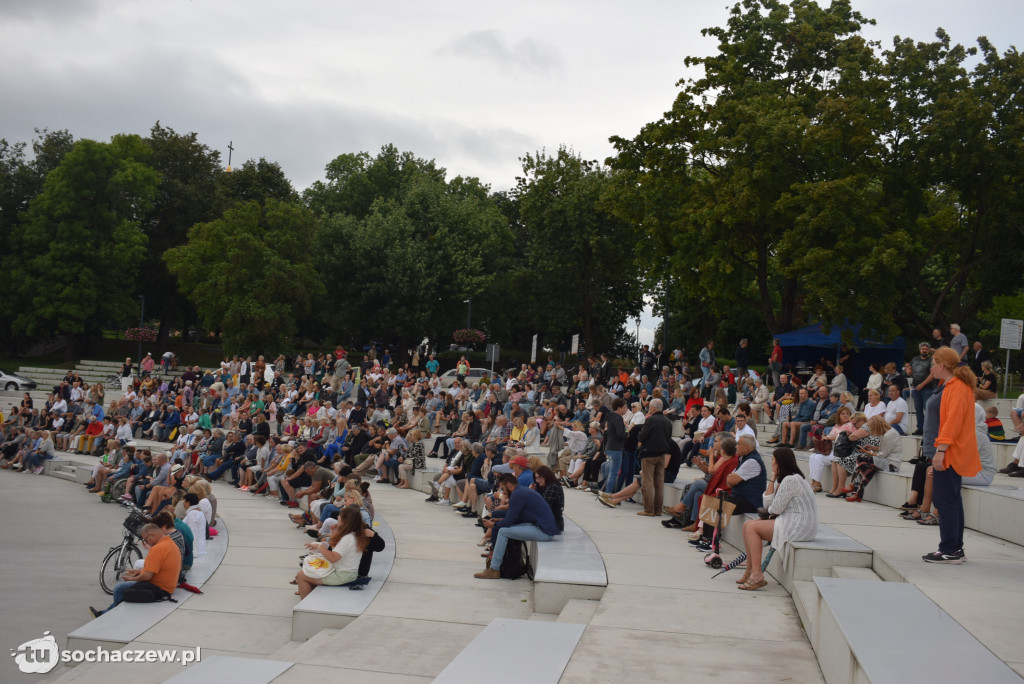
x=474 y=85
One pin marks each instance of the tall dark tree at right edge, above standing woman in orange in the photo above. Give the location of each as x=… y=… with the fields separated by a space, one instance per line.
x=952 y=179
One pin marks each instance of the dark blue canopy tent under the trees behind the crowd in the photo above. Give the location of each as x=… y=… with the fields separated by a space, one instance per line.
x=807 y=346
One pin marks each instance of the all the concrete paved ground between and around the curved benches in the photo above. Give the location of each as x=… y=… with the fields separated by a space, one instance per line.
x=662 y=615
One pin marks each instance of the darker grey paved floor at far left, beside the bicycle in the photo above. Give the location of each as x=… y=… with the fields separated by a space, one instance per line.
x=55 y=536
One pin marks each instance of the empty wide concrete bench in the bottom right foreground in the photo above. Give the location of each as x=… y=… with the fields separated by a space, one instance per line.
x=884 y=632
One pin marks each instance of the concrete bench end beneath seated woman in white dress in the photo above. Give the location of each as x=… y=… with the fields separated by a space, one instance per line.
x=808 y=560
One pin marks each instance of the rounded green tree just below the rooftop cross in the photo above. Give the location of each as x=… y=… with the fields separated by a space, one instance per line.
x=250 y=274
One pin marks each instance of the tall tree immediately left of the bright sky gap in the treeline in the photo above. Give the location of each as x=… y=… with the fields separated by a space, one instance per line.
x=580 y=275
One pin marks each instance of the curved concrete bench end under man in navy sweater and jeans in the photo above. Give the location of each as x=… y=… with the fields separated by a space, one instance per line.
x=568 y=568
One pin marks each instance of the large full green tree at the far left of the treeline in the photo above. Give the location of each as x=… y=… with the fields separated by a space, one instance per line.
x=75 y=259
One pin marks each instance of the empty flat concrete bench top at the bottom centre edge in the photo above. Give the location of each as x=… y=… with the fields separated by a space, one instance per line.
x=543 y=649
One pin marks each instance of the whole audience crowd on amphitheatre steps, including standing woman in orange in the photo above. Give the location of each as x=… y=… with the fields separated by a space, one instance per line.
x=310 y=433
